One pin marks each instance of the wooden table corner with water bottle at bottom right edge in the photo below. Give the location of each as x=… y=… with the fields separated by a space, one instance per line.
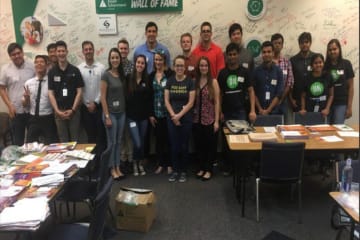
x=354 y=216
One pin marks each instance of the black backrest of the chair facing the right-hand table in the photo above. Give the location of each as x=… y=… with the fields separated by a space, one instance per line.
x=282 y=161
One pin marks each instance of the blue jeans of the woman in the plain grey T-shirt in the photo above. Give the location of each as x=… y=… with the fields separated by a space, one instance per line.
x=113 y=135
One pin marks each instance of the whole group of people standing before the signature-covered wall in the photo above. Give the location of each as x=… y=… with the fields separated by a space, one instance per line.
x=118 y=105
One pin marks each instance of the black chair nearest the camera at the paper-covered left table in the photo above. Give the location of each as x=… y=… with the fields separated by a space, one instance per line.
x=92 y=231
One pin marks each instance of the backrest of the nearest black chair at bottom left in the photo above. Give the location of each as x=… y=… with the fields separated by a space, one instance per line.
x=97 y=222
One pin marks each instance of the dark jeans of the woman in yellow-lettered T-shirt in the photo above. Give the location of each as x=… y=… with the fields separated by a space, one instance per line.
x=179 y=144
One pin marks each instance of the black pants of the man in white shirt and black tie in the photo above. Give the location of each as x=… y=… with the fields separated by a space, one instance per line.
x=42 y=129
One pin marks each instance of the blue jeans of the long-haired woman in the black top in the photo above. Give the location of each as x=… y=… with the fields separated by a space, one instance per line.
x=137 y=131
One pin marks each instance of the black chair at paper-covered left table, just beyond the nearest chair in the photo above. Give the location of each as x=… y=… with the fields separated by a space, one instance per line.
x=84 y=190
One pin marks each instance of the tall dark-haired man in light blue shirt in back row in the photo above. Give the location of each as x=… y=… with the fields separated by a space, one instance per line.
x=151 y=45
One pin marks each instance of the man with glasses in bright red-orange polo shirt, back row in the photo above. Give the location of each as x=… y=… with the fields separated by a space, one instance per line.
x=209 y=49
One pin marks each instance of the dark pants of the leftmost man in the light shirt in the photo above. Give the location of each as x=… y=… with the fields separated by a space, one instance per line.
x=18 y=126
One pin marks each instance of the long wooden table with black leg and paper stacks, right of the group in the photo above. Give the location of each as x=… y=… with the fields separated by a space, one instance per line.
x=244 y=153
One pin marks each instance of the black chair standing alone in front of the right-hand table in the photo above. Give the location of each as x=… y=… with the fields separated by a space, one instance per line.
x=281 y=163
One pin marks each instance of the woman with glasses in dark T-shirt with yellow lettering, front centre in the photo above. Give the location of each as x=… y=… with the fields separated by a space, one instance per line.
x=179 y=98
